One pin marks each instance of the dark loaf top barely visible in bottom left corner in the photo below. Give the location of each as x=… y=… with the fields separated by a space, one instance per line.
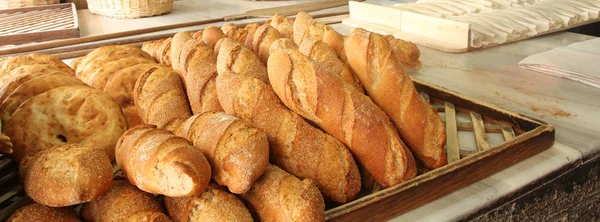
x=38 y=212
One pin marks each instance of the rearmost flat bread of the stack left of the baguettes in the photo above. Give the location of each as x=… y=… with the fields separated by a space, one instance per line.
x=97 y=58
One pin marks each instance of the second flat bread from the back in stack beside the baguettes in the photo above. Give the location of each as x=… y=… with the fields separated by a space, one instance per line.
x=99 y=78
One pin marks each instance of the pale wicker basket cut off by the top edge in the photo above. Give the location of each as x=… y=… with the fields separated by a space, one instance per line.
x=130 y=8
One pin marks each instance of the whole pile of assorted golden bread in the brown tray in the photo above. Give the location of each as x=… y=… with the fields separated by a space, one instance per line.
x=263 y=122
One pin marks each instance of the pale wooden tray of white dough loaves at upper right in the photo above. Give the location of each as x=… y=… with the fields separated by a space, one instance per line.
x=443 y=33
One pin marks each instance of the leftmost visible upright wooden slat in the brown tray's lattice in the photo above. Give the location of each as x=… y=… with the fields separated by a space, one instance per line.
x=452 y=146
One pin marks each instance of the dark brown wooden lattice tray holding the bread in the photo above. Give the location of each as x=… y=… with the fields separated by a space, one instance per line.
x=520 y=138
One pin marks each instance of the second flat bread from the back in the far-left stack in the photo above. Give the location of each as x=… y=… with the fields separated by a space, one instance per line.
x=13 y=81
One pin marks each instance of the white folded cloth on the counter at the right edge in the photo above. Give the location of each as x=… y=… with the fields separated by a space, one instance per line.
x=579 y=61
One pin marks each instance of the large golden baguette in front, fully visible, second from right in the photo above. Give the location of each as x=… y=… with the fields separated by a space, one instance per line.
x=343 y=112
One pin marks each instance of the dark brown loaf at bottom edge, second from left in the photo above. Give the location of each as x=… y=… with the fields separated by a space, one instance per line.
x=124 y=202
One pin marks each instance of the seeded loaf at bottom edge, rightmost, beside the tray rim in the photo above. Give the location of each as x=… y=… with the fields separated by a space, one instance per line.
x=279 y=196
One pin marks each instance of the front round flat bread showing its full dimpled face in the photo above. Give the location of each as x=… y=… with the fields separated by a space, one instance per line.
x=67 y=114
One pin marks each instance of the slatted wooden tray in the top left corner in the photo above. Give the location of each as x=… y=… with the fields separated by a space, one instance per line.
x=40 y=23
